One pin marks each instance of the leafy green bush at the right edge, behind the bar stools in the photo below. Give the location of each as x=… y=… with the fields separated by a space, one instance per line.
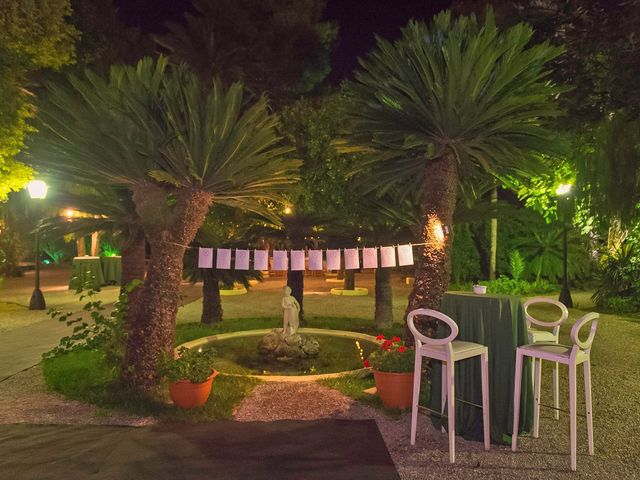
x=618 y=279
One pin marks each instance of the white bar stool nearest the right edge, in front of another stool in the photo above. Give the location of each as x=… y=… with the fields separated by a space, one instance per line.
x=579 y=353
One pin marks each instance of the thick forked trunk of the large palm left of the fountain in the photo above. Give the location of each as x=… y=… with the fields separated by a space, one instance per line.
x=153 y=308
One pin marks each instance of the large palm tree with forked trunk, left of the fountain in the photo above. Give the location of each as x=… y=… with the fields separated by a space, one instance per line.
x=152 y=130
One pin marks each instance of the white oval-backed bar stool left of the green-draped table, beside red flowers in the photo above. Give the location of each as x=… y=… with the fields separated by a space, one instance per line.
x=448 y=351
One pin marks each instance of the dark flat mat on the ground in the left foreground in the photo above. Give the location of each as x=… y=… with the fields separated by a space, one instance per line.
x=287 y=449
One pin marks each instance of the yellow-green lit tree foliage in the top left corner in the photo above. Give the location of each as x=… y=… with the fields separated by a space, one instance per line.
x=33 y=35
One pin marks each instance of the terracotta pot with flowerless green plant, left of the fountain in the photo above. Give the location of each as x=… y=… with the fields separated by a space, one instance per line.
x=190 y=376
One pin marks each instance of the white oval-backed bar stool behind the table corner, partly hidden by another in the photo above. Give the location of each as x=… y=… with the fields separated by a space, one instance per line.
x=537 y=335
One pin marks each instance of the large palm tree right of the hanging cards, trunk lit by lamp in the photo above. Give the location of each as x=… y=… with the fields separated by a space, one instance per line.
x=444 y=104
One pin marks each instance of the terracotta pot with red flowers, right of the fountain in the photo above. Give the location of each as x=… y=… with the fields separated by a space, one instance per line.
x=392 y=367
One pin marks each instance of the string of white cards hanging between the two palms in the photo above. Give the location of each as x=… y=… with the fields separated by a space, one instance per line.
x=312 y=259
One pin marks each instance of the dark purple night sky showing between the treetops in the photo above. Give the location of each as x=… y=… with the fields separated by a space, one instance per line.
x=359 y=20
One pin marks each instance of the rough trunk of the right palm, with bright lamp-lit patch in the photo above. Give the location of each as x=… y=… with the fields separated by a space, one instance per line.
x=434 y=263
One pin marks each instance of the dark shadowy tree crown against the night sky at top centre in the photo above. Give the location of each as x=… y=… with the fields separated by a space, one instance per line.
x=278 y=46
